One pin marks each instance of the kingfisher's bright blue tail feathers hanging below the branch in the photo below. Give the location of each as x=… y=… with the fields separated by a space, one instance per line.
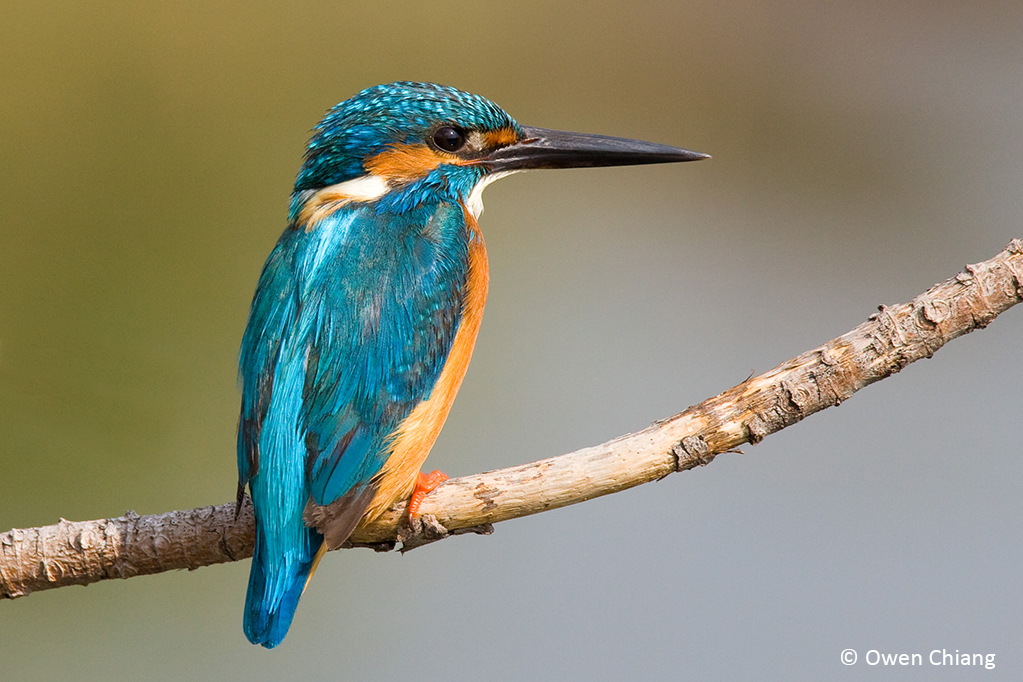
x=276 y=584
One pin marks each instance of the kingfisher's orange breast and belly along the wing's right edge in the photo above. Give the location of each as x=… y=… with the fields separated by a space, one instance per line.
x=416 y=436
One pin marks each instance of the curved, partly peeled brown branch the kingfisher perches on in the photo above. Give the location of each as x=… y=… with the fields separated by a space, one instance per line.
x=84 y=553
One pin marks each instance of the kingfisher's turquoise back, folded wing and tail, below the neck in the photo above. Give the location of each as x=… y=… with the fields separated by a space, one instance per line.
x=349 y=331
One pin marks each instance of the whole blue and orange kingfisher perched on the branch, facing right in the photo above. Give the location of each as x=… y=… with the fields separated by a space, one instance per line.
x=367 y=313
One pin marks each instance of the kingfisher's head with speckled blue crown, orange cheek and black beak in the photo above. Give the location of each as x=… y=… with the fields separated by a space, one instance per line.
x=404 y=145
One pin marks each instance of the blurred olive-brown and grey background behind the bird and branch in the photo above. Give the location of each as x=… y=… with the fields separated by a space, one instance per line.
x=863 y=152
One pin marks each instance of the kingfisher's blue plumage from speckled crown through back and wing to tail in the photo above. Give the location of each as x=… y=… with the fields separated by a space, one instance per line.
x=351 y=325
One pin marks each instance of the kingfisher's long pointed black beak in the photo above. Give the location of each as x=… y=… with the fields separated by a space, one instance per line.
x=556 y=149
